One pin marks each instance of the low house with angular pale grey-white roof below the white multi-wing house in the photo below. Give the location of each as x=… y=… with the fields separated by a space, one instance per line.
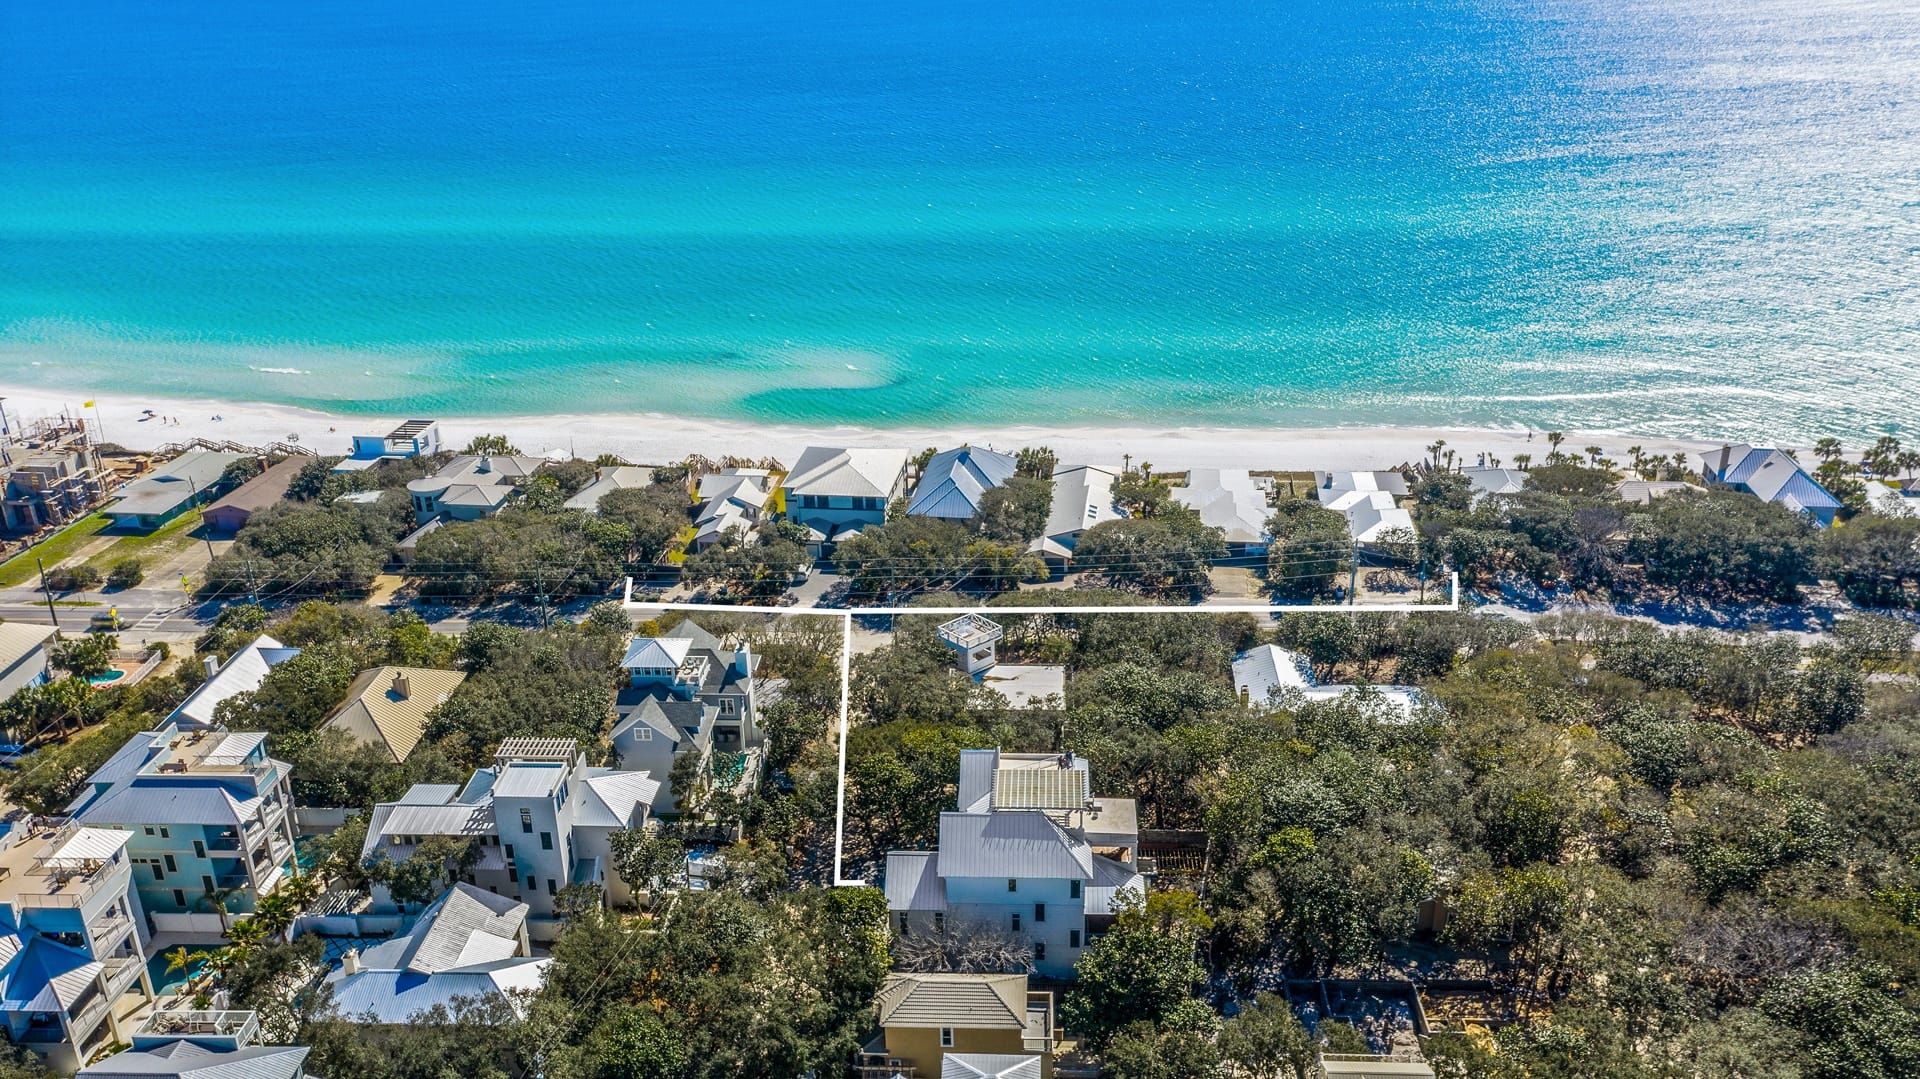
x=469 y=944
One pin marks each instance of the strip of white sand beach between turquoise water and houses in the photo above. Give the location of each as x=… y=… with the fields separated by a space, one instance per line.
x=648 y=439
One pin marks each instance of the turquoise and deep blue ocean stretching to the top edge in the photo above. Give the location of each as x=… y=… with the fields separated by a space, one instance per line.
x=1691 y=218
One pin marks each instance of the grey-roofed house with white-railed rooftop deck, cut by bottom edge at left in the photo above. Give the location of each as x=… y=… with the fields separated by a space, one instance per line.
x=178 y=1043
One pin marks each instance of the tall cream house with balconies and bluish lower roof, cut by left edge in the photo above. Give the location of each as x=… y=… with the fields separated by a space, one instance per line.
x=72 y=940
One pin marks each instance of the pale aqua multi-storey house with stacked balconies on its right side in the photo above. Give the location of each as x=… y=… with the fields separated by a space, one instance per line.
x=208 y=815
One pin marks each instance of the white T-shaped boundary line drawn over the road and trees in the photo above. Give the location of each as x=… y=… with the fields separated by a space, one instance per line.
x=850 y=613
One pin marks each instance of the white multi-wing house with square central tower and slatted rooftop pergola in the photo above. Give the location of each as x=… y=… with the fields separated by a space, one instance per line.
x=542 y=819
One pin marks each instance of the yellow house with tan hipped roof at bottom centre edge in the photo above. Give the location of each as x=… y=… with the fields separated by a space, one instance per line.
x=961 y=1026
